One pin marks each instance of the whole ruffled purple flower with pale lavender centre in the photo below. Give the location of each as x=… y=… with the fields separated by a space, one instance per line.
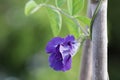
x=61 y=51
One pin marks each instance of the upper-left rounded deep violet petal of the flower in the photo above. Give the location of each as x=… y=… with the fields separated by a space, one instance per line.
x=52 y=44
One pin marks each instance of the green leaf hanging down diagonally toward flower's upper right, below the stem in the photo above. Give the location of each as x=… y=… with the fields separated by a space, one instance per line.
x=72 y=27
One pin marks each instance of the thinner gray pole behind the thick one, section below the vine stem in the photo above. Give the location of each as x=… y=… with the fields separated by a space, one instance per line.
x=86 y=64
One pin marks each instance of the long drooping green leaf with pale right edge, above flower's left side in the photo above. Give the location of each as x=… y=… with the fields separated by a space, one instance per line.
x=55 y=21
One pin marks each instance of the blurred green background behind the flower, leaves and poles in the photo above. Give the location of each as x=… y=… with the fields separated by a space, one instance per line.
x=23 y=39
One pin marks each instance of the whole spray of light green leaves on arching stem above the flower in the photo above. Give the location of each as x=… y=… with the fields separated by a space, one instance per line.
x=55 y=18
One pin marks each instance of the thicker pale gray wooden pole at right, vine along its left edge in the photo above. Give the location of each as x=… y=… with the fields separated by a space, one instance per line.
x=99 y=43
